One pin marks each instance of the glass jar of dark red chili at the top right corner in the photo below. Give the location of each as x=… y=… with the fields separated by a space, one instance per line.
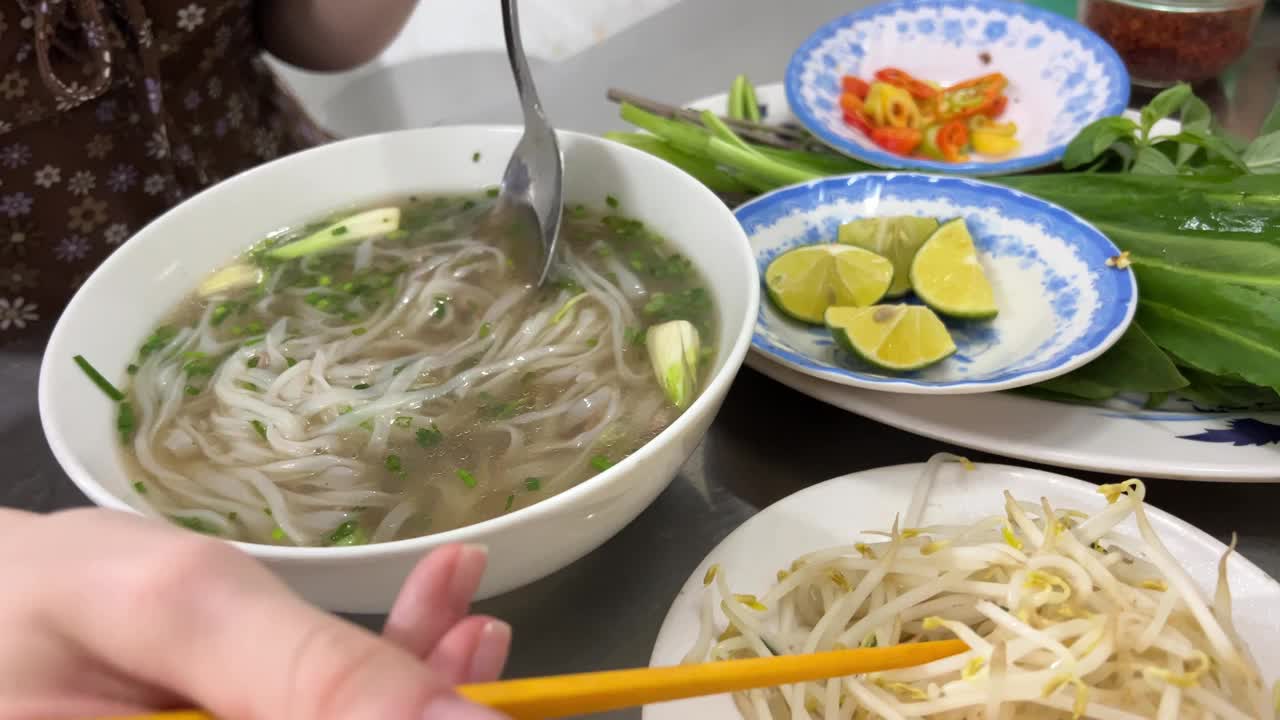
x=1169 y=42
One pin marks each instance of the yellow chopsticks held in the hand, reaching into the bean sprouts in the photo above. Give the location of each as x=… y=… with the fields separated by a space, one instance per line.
x=561 y=696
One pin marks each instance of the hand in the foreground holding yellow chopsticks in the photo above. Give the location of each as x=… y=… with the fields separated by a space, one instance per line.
x=108 y=614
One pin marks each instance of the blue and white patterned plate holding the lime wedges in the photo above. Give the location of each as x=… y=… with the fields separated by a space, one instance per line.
x=1060 y=304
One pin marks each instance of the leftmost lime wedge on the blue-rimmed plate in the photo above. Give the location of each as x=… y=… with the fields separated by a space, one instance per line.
x=806 y=281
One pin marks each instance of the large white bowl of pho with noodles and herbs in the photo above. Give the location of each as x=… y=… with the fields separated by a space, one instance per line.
x=340 y=361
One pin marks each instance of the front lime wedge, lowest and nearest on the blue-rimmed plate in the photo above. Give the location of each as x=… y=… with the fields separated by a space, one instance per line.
x=892 y=338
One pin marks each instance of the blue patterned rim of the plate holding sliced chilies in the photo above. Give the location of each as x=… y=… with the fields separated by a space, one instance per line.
x=1103 y=54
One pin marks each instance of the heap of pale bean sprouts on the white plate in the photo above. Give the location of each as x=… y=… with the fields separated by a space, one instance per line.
x=1055 y=628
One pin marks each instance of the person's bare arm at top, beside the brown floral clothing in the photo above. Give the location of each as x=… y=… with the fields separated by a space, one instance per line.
x=331 y=35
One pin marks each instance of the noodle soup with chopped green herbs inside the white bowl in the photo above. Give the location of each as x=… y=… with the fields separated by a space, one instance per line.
x=395 y=373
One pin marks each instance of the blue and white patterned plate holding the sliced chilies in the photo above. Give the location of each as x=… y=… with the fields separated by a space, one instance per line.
x=1062 y=76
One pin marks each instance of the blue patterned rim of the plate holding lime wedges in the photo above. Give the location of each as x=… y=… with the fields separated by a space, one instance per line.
x=1118 y=291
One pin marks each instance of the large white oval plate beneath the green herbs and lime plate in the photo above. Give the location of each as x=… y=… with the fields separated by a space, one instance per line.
x=1122 y=439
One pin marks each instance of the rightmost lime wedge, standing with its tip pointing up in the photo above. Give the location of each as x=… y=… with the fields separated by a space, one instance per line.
x=948 y=276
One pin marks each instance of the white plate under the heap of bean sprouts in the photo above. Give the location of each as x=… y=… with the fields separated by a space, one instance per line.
x=835 y=513
